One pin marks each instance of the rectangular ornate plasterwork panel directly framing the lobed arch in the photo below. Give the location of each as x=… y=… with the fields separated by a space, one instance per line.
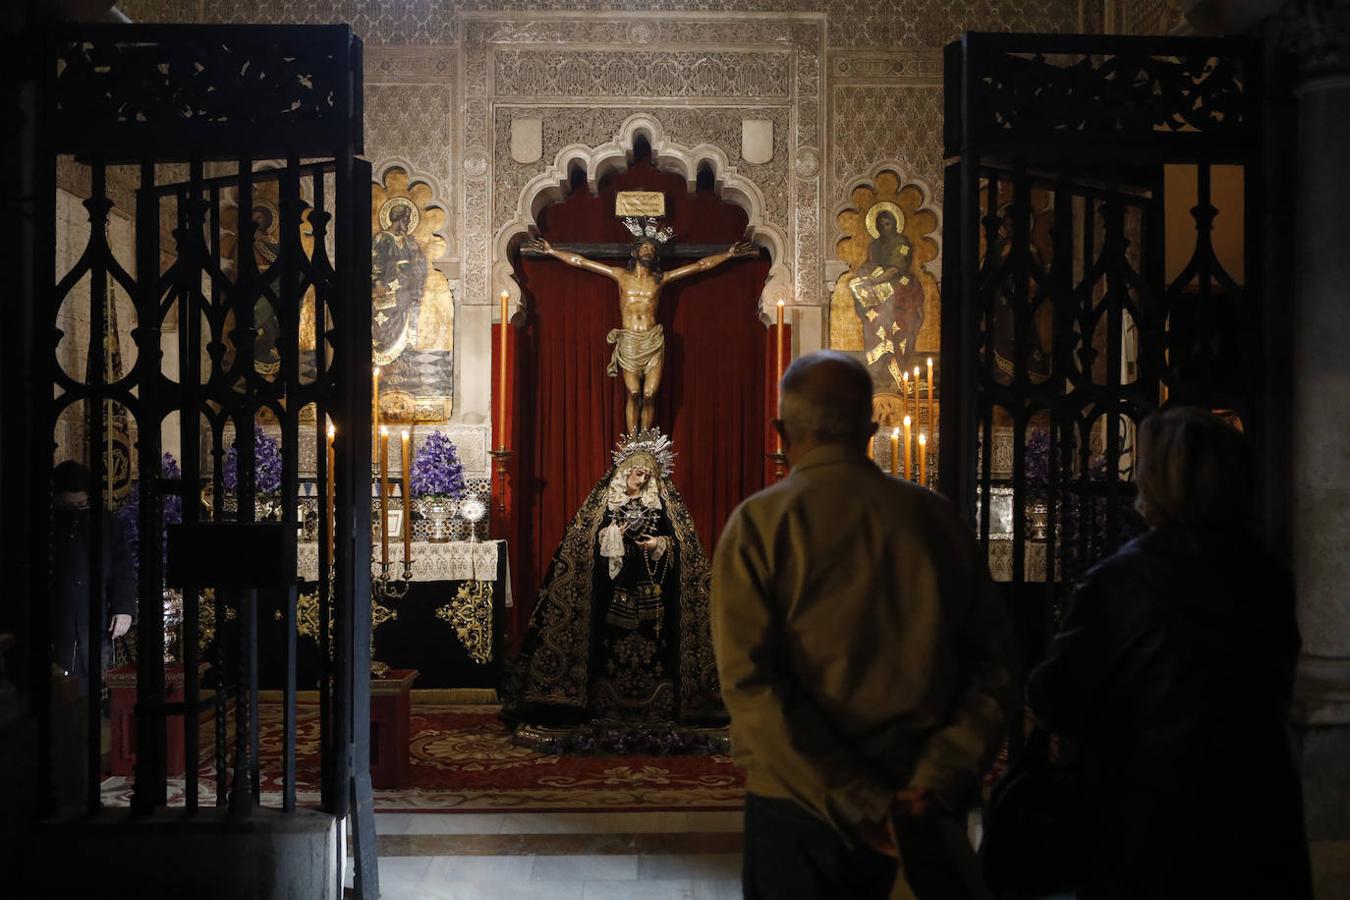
x=585 y=76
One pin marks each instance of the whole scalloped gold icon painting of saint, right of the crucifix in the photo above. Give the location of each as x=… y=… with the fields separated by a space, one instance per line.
x=886 y=307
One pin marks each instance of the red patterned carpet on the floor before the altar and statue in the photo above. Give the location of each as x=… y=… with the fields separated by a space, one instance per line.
x=464 y=760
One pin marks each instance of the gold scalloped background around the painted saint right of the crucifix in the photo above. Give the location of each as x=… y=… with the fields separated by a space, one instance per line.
x=921 y=226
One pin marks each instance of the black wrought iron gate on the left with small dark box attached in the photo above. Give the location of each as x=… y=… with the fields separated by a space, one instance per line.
x=248 y=238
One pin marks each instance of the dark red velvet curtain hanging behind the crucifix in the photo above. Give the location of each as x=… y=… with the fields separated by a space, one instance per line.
x=569 y=414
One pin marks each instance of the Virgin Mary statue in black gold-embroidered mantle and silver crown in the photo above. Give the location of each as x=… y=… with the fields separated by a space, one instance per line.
x=619 y=648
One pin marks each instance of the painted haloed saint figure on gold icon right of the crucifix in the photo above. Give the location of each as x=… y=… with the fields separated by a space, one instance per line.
x=888 y=295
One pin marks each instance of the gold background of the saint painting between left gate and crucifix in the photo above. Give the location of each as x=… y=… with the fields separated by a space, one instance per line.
x=437 y=314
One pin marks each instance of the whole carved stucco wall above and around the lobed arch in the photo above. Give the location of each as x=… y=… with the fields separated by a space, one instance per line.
x=848 y=84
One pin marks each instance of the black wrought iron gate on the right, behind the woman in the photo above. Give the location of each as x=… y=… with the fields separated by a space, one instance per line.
x=1082 y=296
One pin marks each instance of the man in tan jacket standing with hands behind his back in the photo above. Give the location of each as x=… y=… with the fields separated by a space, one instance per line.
x=865 y=659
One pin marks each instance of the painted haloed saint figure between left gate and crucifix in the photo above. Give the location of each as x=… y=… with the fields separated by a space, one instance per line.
x=399 y=277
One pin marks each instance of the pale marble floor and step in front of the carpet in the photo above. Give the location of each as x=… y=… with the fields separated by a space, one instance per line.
x=560 y=856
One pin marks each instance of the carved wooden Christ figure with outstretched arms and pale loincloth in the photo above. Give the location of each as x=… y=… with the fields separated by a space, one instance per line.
x=641 y=345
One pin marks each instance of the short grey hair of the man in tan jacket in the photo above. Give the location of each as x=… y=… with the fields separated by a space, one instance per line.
x=827 y=396
